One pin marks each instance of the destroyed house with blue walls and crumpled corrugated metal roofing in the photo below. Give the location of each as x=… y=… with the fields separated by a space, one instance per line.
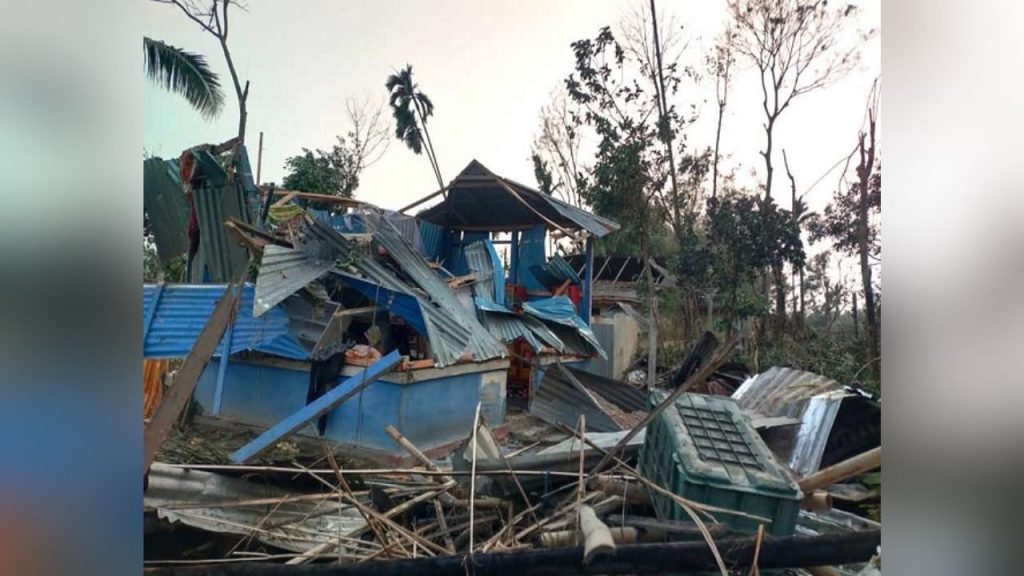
x=336 y=289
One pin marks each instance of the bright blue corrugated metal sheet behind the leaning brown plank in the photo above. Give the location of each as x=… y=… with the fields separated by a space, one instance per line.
x=175 y=314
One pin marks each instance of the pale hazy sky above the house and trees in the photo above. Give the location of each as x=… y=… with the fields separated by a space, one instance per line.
x=489 y=68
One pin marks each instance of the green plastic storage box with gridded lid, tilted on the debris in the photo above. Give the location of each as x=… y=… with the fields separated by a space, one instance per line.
x=705 y=449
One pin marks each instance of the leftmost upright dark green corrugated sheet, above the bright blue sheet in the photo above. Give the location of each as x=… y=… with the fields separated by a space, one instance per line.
x=166 y=207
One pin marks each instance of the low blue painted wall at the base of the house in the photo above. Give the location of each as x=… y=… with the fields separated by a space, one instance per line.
x=431 y=414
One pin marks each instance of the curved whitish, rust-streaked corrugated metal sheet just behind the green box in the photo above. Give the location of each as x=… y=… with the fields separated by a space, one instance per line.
x=813 y=399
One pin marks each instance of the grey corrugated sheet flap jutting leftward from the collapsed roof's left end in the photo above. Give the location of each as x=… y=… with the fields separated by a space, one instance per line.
x=284 y=272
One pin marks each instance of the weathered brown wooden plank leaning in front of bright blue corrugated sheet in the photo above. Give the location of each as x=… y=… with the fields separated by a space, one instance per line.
x=185 y=383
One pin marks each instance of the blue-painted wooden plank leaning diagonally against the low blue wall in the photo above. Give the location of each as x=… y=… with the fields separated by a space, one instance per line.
x=317 y=408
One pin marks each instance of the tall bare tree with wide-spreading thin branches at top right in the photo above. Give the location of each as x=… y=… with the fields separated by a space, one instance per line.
x=797 y=47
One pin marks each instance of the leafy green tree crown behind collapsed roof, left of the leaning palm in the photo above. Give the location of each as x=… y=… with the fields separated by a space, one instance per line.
x=335 y=173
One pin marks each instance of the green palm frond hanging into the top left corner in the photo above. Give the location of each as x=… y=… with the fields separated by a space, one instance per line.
x=186 y=74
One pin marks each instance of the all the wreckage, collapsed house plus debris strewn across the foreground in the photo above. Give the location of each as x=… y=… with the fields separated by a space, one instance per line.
x=399 y=402
